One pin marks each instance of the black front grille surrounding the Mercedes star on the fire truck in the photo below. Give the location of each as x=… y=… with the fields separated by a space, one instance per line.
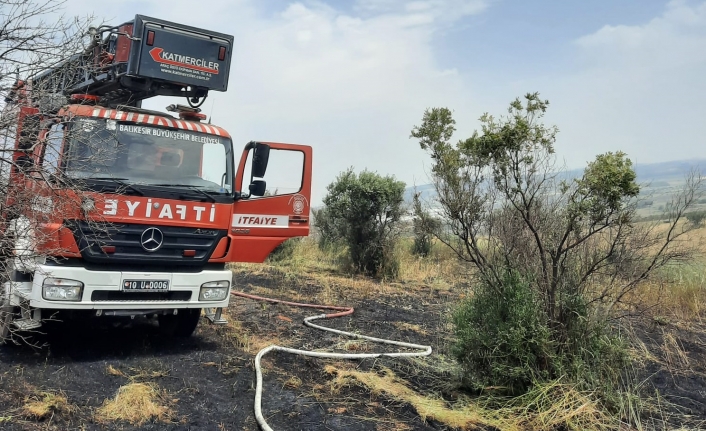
x=126 y=238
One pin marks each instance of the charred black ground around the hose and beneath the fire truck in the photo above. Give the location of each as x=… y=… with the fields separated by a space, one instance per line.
x=209 y=378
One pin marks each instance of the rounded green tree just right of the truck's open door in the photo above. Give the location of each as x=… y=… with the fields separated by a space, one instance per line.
x=364 y=210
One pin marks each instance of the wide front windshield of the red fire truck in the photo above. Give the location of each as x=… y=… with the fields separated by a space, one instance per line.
x=148 y=155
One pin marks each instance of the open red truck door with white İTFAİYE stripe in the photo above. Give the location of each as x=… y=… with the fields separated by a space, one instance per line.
x=273 y=205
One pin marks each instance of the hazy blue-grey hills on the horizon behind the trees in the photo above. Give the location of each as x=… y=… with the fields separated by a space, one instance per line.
x=651 y=175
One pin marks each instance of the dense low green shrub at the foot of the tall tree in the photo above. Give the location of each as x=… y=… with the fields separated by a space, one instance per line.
x=505 y=341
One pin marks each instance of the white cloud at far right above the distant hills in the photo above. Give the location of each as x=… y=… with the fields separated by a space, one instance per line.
x=638 y=89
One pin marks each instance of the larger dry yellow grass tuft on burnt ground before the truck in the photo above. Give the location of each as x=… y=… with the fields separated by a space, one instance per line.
x=137 y=404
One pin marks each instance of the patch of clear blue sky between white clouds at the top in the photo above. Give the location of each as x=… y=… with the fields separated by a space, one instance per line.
x=532 y=34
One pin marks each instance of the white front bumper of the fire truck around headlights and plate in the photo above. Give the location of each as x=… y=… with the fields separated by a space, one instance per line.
x=102 y=290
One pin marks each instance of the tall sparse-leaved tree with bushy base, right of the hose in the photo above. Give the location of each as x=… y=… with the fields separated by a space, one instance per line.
x=574 y=244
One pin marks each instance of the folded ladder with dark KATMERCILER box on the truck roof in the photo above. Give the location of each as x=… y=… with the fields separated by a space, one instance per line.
x=140 y=59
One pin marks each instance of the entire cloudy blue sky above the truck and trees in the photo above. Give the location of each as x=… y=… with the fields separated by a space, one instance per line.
x=351 y=78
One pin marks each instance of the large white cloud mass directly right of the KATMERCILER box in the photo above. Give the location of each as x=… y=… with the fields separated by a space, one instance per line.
x=351 y=84
